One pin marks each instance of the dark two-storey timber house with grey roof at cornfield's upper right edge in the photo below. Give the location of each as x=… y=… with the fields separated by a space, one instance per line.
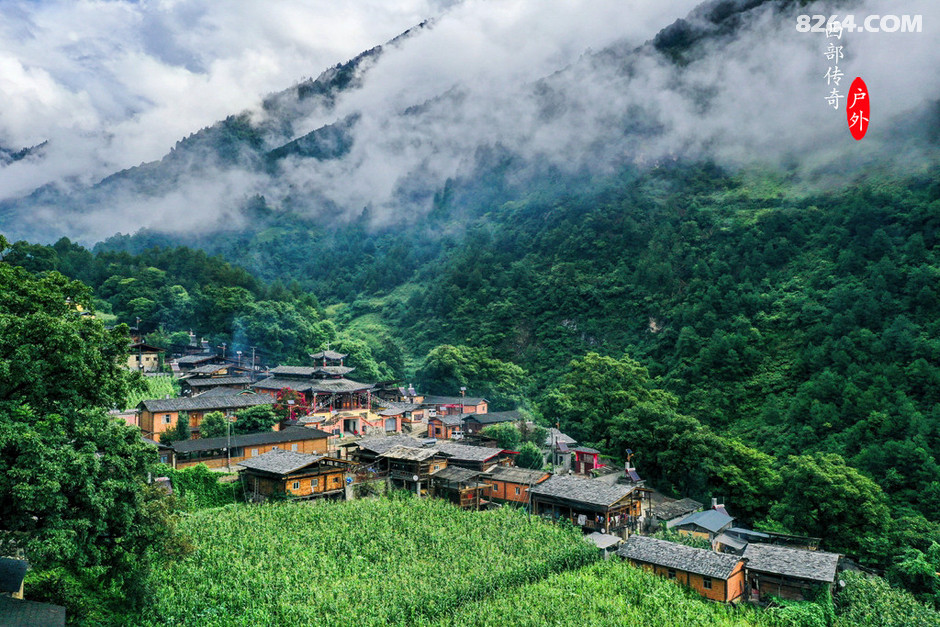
x=588 y=503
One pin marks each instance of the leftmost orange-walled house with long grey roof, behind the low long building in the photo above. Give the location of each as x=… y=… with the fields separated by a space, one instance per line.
x=161 y=414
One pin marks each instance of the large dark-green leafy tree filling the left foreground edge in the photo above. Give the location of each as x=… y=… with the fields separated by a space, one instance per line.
x=73 y=492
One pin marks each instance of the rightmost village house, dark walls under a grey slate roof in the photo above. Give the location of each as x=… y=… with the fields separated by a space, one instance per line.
x=788 y=573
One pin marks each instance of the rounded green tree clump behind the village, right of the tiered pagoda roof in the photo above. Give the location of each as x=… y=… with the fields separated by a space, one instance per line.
x=448 y=368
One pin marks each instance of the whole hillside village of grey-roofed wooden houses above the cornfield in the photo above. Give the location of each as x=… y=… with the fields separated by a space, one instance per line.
x=343 y=439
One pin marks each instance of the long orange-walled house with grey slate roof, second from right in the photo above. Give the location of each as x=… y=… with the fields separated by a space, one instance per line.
x=715 y=576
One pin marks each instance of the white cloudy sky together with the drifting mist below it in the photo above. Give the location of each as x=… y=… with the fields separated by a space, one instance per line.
x=112 y=84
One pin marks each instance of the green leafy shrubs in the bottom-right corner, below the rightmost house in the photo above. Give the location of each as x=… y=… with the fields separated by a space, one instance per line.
x=868 y=601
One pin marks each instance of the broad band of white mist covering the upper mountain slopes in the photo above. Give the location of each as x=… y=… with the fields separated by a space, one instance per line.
x=512 y=95
